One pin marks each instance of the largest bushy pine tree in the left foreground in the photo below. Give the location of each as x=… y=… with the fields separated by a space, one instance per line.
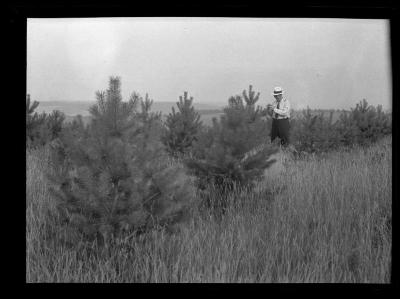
x=115 y=177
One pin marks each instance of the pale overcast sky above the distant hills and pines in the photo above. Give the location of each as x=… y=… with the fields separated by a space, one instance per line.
x=322 y=63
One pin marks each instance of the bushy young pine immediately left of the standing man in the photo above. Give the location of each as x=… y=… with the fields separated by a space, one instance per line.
x=221 y=153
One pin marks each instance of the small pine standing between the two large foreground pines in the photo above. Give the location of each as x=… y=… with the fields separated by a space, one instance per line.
x=181 y=127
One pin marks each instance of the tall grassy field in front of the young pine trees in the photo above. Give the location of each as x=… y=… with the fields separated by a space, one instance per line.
x=310 y=220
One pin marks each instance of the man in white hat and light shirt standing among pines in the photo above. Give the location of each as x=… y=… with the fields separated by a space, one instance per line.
x=280 y=113
